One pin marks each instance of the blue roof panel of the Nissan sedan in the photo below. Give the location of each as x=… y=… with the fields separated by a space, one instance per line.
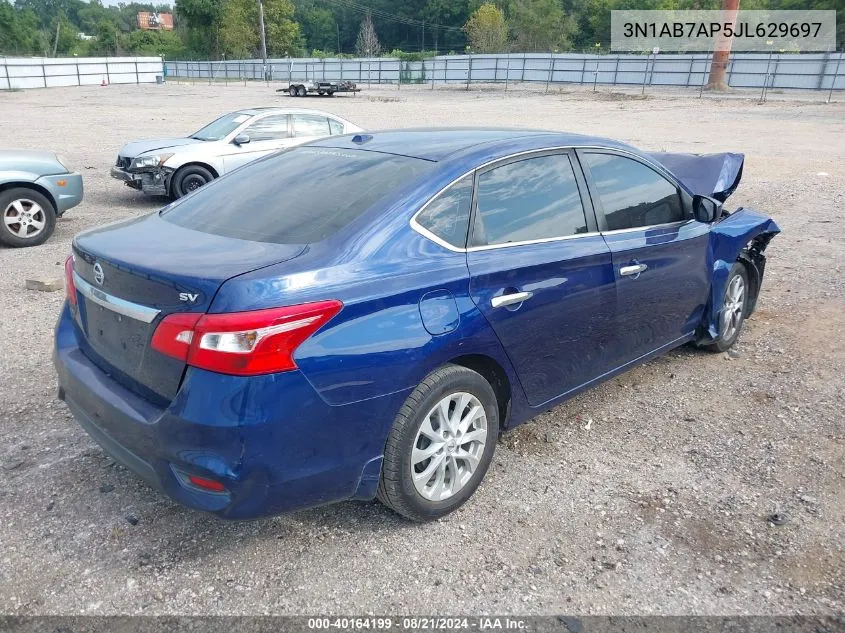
x=440 y=144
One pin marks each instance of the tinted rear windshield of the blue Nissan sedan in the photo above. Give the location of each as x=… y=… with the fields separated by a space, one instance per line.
x=300 y=196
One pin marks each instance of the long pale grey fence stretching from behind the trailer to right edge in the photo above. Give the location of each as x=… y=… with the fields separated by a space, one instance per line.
x=819 y=71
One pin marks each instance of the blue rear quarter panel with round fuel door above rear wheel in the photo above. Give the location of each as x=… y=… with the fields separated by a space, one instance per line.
x=378 y=344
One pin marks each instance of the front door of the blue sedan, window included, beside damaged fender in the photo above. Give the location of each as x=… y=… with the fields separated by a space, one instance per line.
x=659 y=250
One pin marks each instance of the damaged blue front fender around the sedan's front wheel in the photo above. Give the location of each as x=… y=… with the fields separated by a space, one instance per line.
x=741 y=236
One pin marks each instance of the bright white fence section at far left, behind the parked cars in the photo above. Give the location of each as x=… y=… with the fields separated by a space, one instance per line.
x=49 y=72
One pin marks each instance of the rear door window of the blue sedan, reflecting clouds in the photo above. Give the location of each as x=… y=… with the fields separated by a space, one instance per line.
x=531 y=199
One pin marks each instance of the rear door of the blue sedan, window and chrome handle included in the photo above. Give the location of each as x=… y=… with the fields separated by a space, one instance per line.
x=541 y=273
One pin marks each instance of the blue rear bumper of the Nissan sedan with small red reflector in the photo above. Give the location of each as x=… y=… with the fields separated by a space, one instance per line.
x=274 y=444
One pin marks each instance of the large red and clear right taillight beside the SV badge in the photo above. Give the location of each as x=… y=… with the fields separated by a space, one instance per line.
x=242 y=343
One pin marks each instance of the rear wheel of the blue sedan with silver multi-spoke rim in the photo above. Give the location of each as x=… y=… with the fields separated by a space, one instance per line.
x=396 y=486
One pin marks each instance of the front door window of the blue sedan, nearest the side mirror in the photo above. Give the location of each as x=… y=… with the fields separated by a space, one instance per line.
x=633 y=194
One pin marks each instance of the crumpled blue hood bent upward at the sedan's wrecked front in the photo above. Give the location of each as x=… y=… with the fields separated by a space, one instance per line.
x=714 y=175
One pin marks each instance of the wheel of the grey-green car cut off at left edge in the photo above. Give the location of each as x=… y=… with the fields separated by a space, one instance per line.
x=32 y=207
